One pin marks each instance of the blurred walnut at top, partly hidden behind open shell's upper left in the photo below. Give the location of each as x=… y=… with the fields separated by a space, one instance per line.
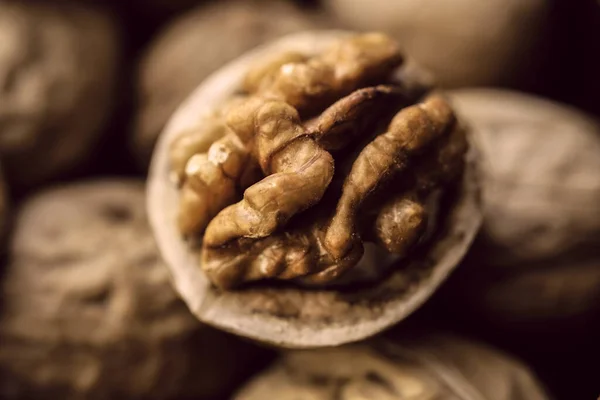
x=196 y=44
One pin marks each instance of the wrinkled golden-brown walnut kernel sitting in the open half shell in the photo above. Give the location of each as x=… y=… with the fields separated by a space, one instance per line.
x=334 y=130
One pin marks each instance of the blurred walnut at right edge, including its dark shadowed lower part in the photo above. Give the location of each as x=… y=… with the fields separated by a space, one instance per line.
x=534 y=271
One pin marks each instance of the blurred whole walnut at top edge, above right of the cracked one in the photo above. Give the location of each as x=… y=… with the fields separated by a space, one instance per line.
x=462 y=42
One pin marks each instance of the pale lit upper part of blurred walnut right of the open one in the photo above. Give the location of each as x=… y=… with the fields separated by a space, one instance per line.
x=541 y=174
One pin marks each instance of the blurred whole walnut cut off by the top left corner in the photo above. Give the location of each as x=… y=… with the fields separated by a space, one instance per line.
x=58 y=67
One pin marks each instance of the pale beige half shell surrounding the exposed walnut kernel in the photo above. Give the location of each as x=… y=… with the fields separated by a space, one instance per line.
x=293 y=317
